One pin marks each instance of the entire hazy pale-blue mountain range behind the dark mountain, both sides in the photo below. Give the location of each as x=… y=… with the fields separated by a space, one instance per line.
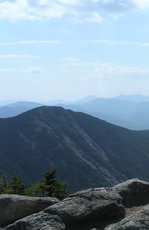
x=131 y=111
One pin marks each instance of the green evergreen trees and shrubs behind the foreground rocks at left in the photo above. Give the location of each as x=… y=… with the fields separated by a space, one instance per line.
x=50 y=186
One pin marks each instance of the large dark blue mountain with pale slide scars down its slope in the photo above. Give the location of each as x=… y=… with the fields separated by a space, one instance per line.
x=87 y=152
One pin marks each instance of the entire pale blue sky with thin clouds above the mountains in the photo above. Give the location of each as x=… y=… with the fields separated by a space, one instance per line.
x=69 y=49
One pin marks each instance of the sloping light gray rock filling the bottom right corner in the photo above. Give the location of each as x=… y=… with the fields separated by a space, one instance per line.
x=136 y=221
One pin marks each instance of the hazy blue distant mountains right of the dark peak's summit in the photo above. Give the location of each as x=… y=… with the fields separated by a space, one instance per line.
x=131 y=112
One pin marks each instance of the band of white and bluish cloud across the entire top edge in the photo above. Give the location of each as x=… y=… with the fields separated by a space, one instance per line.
x=85 y=10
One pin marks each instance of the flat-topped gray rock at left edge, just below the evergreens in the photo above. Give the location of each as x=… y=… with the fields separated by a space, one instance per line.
x=14 y=207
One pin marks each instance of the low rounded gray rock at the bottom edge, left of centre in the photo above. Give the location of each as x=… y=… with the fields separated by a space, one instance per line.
x=38 y=221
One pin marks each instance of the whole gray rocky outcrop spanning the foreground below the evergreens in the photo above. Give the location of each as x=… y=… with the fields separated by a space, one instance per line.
x=118 y=208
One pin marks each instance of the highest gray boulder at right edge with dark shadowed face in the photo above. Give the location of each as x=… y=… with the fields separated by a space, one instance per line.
x=135 y=192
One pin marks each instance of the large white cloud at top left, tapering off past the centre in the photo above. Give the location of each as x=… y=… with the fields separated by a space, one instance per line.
x=48 y=9
